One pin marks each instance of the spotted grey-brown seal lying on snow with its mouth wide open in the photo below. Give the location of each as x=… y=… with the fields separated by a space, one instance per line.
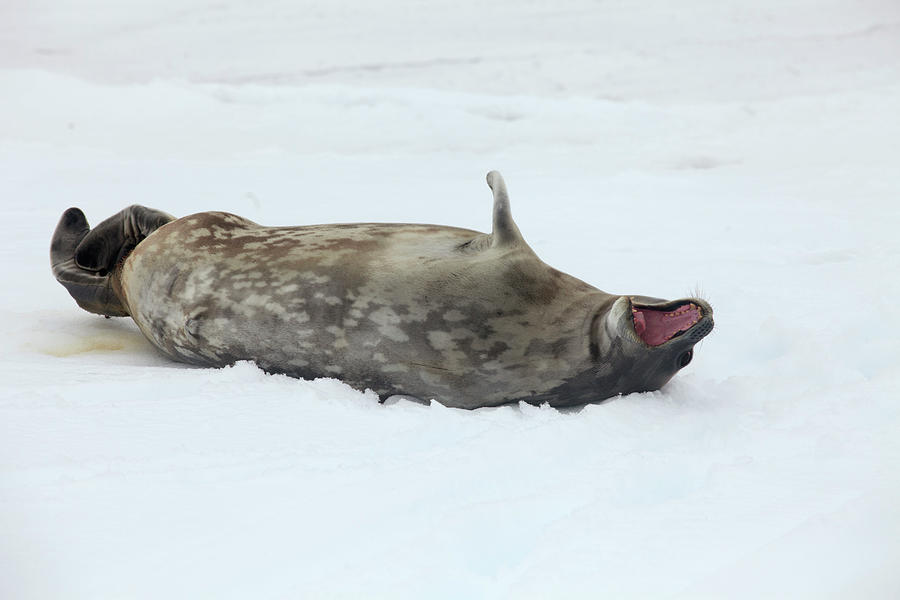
x=466 y=318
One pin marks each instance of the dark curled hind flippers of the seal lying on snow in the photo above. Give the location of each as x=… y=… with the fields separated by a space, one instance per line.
x=85 y=261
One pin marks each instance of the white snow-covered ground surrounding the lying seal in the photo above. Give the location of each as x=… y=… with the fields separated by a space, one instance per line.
x=748 y=150
